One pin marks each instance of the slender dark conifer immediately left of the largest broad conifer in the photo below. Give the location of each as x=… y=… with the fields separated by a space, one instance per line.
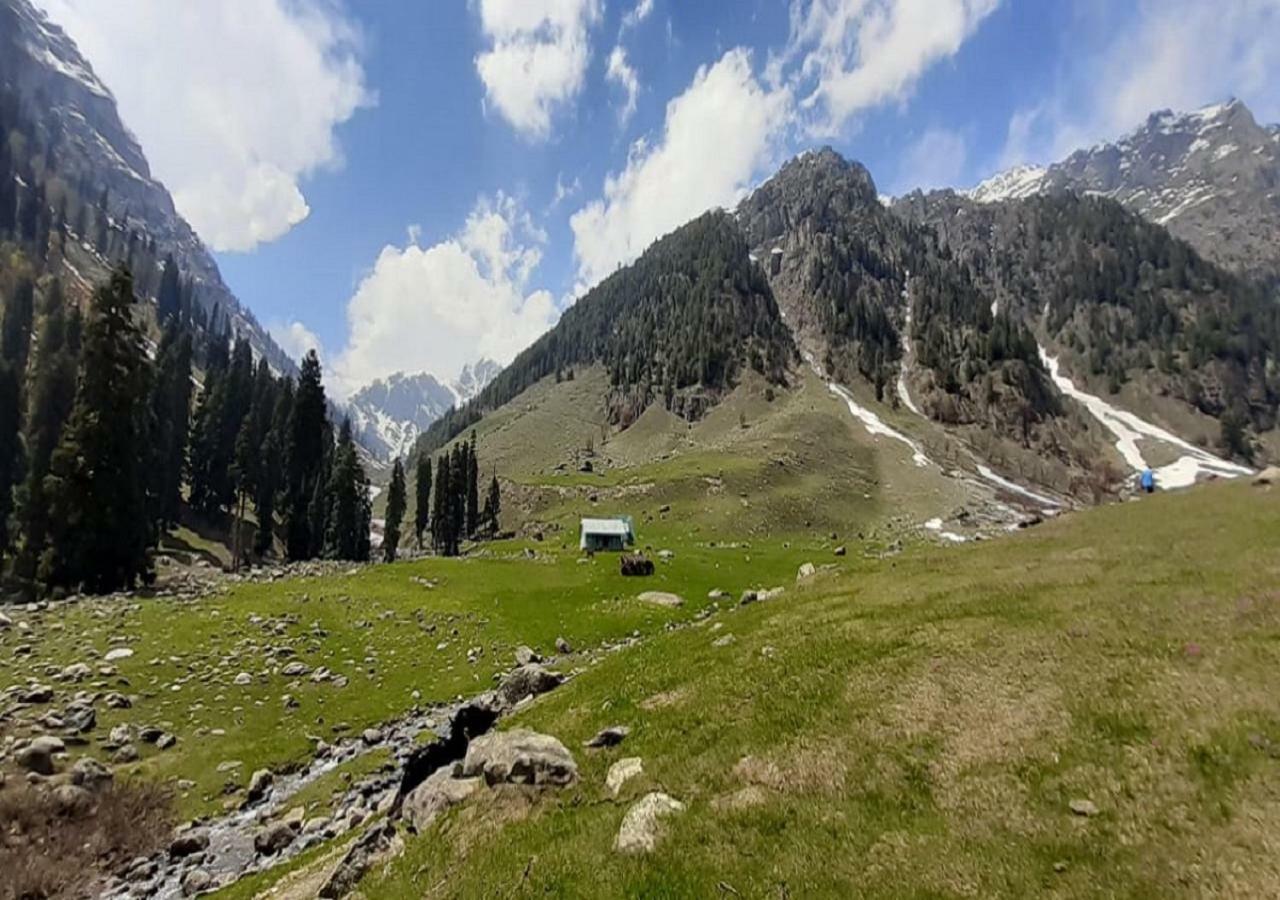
x=53 y=394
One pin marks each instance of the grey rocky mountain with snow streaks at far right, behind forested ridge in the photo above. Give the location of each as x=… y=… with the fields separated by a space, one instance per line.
x=1212 y=177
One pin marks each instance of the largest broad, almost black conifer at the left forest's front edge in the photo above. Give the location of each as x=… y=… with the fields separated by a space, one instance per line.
x=100 y=533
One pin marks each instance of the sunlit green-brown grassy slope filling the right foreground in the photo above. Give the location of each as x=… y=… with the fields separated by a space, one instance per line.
x=920 y=728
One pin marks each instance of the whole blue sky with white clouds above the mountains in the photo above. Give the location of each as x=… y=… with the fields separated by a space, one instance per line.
x=414 y=185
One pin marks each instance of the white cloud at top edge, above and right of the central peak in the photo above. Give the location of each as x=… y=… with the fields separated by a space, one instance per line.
x=860 y=54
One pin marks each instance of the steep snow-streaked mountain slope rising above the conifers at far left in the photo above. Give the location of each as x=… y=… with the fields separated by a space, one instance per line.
x=83 y=162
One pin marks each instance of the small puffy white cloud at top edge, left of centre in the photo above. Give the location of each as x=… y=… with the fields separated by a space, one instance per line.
x=538 y=58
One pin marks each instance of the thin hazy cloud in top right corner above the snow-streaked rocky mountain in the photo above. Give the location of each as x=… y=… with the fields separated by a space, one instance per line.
x=1176 y=54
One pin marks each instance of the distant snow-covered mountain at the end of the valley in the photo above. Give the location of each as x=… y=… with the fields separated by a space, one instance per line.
x=390 y=414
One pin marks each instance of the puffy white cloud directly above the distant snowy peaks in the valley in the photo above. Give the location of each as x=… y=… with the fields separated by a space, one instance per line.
x=440 y=308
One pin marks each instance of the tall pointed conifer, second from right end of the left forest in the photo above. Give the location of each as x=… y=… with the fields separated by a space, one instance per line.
x=305 y=454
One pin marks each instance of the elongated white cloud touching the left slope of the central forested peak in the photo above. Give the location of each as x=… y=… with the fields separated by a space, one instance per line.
x=717 y=136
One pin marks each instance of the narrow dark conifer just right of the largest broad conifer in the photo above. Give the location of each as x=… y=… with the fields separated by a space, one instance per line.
x=172 y=405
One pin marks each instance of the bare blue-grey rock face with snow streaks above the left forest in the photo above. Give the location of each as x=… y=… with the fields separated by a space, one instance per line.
x=100 y=161
